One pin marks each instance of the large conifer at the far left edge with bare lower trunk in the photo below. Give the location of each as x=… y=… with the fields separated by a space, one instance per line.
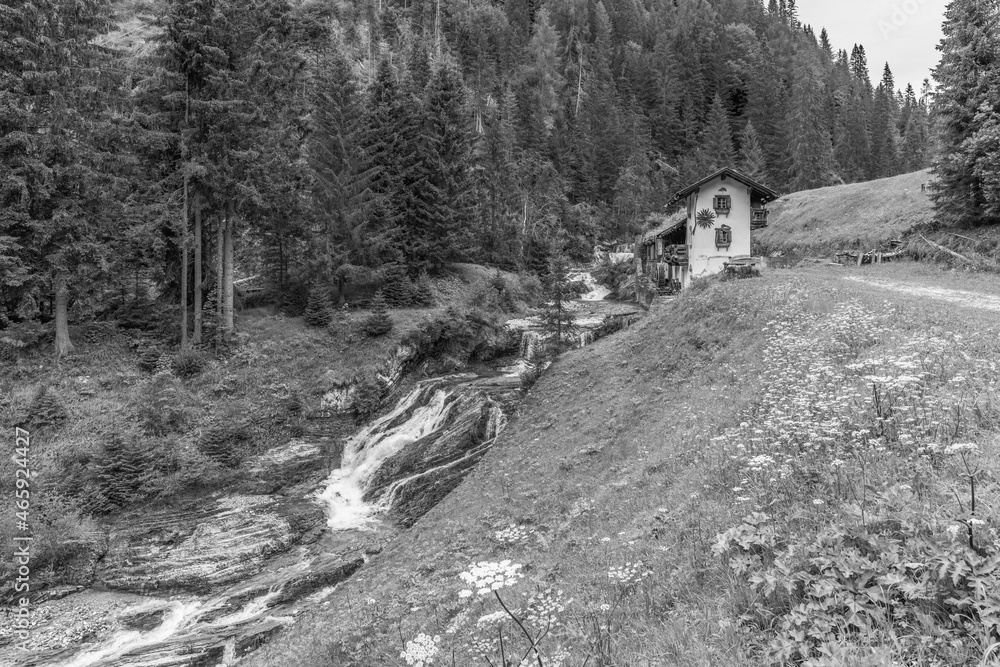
x=58 y=154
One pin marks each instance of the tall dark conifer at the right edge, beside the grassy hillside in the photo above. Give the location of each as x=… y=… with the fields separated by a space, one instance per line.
x=966 y=75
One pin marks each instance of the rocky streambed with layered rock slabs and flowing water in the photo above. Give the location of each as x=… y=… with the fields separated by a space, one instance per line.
x=207 y=582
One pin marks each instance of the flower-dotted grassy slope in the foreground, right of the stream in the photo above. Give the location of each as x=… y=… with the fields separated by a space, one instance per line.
x=761 y=472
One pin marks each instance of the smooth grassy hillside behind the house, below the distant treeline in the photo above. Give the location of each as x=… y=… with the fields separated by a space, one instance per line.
x=844 y=217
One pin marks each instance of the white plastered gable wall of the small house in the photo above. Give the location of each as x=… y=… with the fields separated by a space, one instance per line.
x=704 y=258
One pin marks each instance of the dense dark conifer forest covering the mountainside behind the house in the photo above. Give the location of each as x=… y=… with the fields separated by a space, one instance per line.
x=328 y=141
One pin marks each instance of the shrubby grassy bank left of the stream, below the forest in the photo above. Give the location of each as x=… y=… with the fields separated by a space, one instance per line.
x=108 y=434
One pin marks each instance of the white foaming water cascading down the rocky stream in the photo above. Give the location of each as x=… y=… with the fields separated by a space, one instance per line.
x=427 y=442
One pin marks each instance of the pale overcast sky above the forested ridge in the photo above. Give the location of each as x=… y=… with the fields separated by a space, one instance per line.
x=904 y=33
